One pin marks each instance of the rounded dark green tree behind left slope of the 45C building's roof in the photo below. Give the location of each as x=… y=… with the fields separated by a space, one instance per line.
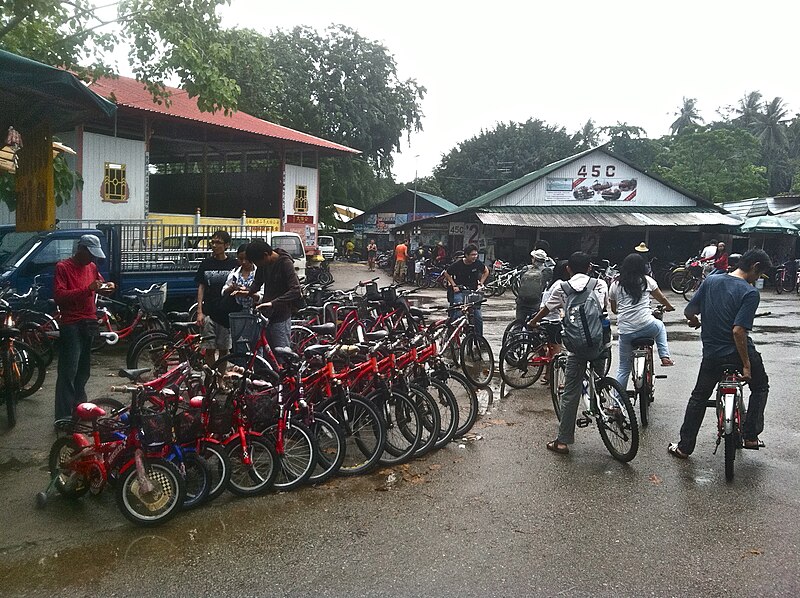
x=492 y=158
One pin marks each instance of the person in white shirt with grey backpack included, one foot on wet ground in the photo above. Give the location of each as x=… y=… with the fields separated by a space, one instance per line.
x=583 y=300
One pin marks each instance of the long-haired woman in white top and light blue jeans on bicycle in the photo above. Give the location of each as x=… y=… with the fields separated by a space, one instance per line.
x=629 y=298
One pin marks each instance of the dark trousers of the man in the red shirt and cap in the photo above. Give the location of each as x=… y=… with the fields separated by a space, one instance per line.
x=74 y=365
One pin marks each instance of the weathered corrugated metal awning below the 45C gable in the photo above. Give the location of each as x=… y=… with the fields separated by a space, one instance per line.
x=605 y=219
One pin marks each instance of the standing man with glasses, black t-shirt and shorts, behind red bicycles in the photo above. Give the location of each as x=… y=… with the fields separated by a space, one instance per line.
x=210 y=278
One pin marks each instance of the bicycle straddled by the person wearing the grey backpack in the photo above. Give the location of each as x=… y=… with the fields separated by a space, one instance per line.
x=605 y=401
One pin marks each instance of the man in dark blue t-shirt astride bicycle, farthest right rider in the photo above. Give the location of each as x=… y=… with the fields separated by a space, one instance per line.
x=727 y=305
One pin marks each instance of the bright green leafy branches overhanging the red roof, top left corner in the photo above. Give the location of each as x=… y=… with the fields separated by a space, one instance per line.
x=166 y=38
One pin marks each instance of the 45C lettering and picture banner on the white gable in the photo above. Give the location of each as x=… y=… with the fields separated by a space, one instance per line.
x=591 y=182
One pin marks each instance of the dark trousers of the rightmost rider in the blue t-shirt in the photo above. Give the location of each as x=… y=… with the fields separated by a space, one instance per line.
x=707 y=378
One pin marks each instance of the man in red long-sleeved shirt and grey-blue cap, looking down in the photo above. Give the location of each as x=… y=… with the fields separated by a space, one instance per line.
x=76 y=283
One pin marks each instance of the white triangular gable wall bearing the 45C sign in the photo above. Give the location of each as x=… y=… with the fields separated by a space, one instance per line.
x=581 y=173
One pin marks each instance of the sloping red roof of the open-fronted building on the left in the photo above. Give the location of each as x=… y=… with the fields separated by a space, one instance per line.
x=130 y=93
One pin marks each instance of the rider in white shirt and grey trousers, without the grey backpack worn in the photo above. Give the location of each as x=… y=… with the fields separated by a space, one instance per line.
x=578 y=266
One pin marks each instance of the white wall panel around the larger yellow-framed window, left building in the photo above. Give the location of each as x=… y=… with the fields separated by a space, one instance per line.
x=99 y=149
